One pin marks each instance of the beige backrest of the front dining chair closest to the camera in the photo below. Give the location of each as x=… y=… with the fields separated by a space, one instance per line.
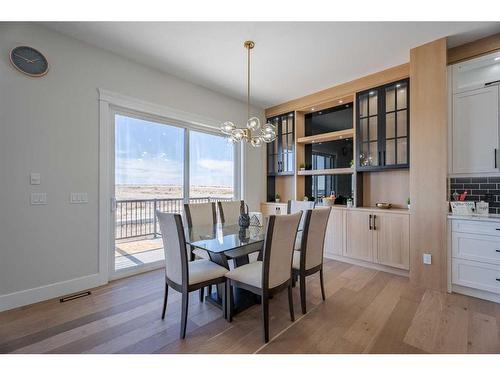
x=278 y=249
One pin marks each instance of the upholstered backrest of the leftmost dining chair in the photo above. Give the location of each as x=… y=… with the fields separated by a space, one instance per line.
x=174 y=245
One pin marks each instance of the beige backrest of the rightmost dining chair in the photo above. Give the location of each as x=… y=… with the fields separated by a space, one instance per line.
x=313 y=237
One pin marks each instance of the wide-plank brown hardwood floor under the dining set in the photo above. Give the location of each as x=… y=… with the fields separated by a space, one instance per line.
x=366 y=311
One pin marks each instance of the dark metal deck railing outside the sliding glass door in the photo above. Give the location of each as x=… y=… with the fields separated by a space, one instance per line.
x=136 y=217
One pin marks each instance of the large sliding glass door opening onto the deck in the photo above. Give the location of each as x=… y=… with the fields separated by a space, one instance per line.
x=160 y=165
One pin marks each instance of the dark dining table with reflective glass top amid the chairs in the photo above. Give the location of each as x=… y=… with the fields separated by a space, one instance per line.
x=228 y=245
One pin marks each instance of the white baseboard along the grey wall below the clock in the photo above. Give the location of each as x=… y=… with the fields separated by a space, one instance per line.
x=45 y=292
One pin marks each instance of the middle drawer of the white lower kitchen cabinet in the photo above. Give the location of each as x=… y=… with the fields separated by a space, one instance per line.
x=476 y=247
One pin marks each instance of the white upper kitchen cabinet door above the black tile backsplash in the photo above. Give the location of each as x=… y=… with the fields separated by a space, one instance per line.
x=475 y=131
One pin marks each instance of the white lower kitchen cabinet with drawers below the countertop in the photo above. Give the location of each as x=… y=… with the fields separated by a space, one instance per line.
x=475 y=258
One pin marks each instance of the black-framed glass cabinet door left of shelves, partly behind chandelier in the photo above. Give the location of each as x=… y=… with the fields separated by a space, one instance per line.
x=281 y=152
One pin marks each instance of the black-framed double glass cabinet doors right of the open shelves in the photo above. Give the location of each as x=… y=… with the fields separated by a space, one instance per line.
x=382 y=130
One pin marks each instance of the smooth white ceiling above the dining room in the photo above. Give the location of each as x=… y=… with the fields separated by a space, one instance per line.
x=290 y=60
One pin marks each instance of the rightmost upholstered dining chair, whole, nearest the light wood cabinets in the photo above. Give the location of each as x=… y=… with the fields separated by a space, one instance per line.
x=309 y=259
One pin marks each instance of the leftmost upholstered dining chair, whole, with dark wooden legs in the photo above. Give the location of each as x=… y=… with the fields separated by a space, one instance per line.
x=181 y=275
